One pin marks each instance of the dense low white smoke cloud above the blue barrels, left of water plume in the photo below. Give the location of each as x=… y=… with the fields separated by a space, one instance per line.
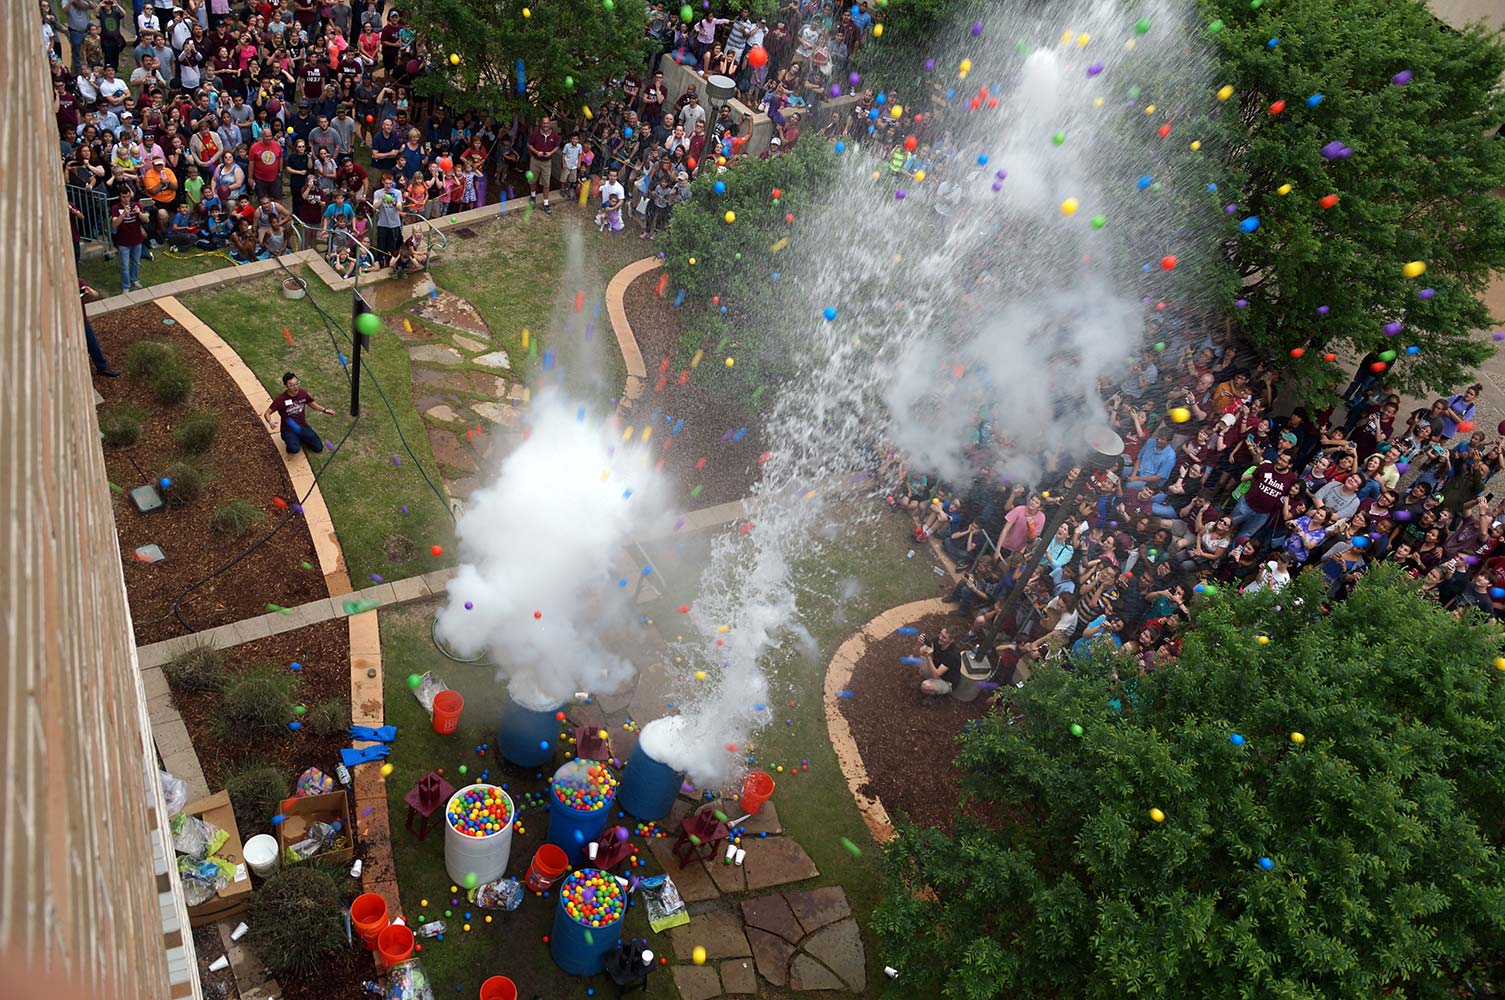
x=544 y=538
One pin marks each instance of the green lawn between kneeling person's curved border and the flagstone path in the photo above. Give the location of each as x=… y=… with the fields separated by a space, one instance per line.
x=374 y=501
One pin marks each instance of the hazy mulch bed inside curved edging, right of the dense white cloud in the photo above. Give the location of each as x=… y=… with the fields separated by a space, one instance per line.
x=731 y=468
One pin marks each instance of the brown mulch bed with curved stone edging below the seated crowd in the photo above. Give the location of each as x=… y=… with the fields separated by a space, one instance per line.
x=907 y=739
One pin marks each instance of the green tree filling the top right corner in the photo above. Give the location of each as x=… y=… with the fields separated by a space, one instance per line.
x=1417 y=186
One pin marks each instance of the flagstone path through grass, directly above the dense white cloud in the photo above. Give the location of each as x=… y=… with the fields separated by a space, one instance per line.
x=464 y=386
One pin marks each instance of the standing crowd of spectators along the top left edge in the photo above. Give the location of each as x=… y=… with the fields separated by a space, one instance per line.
x=258 y=127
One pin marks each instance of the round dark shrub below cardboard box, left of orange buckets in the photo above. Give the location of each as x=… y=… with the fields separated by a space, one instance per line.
x=296 y=921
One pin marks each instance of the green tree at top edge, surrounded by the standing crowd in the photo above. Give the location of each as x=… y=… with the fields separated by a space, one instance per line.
x=568 y=52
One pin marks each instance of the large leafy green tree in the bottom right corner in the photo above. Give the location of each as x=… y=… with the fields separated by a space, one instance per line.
x=1382 y=826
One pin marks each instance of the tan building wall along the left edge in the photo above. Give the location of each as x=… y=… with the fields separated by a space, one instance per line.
x=81 y=894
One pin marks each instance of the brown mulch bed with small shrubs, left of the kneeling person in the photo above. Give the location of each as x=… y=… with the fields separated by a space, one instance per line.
x=243 y=465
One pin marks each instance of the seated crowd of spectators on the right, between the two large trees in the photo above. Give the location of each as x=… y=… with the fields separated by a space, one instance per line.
x=1235 y=490
